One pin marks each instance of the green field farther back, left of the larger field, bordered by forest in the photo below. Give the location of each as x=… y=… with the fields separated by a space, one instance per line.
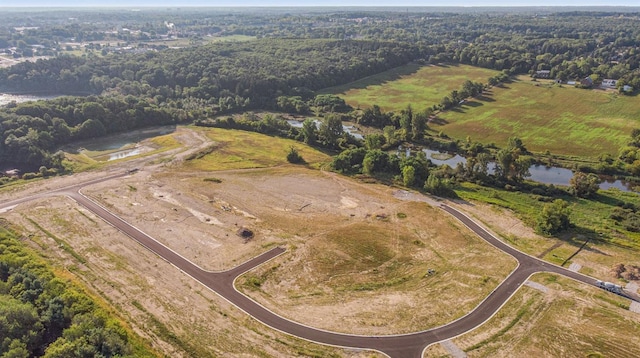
x=415 y=85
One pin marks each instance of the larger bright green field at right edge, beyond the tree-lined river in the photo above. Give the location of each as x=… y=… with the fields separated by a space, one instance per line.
x=564 y=120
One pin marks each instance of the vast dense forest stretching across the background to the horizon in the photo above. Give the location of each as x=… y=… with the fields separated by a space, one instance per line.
x=294 y=54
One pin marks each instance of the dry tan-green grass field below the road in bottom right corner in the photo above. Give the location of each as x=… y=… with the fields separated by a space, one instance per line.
x=569 y=319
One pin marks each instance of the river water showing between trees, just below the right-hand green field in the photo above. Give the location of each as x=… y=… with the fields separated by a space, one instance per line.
x=538 y=173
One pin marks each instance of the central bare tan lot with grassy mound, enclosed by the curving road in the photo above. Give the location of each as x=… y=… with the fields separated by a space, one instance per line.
x=353 y=265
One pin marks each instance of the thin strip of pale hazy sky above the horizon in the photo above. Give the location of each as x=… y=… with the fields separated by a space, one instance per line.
x=225 y=3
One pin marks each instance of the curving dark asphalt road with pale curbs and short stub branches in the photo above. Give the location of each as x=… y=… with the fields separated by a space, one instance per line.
x=399 y=346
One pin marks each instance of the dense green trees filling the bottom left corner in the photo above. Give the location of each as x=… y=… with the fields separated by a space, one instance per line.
x=42 y=315
